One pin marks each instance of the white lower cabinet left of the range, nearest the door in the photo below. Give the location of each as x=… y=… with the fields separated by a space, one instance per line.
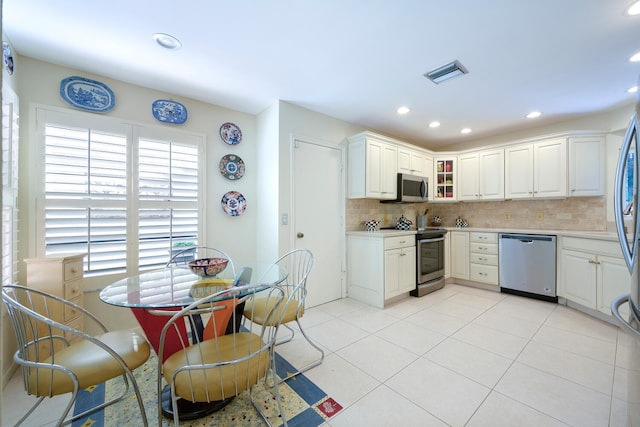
x=380 y=266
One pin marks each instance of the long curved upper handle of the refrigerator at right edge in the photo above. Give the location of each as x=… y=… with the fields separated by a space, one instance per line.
x=629 y=251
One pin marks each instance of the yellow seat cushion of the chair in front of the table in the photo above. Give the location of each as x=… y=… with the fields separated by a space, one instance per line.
x=206 y=385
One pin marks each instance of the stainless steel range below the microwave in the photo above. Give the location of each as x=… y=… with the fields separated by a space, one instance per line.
x=430 y=262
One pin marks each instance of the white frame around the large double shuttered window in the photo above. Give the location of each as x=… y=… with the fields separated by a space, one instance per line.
x=133 y=131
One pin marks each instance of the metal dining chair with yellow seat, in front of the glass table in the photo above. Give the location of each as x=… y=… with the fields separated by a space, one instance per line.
x=217 y=369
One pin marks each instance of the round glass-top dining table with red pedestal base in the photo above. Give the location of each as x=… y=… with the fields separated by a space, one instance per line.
x=154 y=296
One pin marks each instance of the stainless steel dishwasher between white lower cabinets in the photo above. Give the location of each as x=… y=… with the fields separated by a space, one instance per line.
x=527 y=265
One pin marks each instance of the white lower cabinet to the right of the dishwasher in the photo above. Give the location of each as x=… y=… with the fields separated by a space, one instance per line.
x=592 y=272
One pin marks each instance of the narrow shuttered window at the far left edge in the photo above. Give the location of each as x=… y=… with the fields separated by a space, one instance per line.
x=9 y=185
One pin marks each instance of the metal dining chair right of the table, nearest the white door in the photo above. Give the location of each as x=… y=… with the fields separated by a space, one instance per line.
x=298 y=263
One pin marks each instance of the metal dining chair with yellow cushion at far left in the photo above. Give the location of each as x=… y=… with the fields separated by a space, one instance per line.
x=57 y=358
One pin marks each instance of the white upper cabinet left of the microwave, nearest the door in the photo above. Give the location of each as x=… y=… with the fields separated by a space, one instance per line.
x=372 y=167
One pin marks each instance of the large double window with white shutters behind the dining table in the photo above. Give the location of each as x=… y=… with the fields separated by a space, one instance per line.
x=121 y=193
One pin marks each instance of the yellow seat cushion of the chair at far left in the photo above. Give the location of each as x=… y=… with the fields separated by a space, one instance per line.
x=90 y=363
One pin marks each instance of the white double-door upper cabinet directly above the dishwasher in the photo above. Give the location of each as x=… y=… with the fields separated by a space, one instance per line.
x=536 y=170
